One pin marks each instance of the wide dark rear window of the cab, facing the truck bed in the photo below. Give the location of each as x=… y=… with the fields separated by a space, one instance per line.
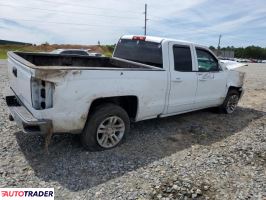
x=149 y=53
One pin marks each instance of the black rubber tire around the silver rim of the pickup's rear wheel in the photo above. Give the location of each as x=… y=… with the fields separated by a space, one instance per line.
x=90 y=136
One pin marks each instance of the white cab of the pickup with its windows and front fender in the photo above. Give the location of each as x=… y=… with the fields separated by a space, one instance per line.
x=196 y=78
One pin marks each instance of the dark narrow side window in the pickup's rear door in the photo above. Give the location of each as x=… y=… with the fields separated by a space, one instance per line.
x=182 y=58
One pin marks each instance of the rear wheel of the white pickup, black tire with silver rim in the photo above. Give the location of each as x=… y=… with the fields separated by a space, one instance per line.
x=106 y=128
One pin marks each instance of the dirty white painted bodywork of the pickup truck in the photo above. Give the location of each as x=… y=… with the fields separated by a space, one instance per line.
x=160 y=92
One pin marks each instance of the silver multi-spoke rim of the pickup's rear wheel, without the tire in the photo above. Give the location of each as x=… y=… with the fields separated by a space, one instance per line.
x=110 y=132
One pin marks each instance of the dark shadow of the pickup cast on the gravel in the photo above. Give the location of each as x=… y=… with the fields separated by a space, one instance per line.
x=76 y=169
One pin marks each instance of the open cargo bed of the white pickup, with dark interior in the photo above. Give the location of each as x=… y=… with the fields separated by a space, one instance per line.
x=57 y=61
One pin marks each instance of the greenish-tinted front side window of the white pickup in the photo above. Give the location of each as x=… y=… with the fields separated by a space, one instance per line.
x=206 y=61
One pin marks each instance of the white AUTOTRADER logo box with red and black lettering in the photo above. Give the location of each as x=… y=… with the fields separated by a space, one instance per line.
x=27 y=193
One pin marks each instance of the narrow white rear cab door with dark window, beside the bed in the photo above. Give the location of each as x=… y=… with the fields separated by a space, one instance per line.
x=183 y=78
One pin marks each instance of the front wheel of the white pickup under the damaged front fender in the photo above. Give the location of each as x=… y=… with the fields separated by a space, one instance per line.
x=232 y=94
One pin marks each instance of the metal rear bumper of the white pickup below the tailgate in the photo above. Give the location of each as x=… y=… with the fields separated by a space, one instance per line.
x=25 y=119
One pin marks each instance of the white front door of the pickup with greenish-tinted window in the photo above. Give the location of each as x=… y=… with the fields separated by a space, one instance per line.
x=211 y=79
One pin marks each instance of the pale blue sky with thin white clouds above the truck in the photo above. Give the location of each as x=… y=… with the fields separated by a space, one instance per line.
x=241 y=22
